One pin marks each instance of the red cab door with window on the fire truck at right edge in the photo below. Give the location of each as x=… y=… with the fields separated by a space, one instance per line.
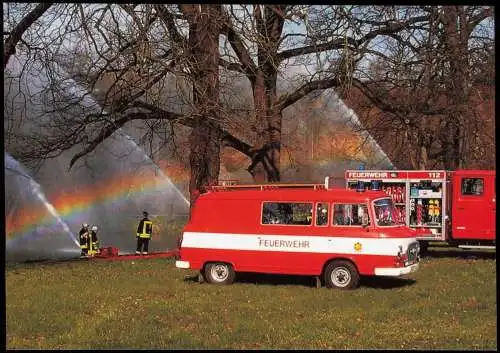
x=474 y=205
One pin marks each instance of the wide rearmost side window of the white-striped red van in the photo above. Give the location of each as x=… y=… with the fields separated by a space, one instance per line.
x=287 y=213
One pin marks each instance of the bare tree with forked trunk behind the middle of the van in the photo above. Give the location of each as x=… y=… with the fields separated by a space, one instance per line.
x=342 y=44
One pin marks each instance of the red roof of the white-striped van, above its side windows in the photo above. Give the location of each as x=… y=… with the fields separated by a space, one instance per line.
x=295 y=194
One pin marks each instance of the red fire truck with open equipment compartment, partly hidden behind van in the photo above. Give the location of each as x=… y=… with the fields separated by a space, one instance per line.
x=457 y=207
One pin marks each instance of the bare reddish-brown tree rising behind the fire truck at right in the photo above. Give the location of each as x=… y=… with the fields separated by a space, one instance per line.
x=424 y=84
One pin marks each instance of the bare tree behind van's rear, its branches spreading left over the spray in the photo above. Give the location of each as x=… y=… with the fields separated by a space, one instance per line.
x=127 y=54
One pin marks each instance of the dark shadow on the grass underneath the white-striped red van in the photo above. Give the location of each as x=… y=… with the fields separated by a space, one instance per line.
x=310 y=281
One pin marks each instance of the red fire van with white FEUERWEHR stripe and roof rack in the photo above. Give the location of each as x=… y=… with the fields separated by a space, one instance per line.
x=298 y=229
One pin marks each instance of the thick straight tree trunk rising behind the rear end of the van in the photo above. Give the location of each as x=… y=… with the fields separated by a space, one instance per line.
x=205 y=138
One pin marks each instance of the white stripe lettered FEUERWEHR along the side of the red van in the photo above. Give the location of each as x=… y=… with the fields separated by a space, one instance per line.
x=294 y=243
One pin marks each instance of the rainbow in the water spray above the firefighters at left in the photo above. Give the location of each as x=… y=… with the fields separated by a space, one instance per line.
x=68 y=204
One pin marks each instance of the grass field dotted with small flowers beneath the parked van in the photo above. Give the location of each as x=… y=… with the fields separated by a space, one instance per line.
x=450 y=303
